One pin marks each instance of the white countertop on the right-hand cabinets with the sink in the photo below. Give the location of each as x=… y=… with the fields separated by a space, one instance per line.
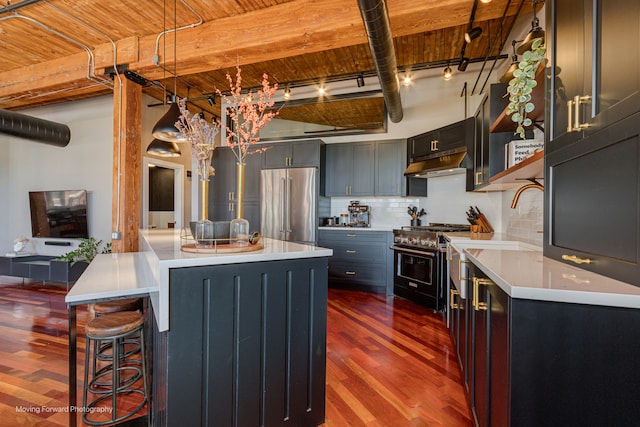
x=527 y=274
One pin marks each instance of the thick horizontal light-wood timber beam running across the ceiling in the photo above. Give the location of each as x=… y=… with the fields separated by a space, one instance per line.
x=287 y=29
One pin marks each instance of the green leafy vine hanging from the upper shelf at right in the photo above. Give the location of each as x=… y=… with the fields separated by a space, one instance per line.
x=522 y=84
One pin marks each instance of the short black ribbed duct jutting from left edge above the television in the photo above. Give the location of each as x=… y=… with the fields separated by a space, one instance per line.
x=34 y=129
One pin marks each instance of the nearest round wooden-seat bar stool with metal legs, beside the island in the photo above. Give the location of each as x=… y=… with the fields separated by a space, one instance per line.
x=125 y=373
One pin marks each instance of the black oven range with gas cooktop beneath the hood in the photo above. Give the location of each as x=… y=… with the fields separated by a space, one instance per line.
x=419 y=263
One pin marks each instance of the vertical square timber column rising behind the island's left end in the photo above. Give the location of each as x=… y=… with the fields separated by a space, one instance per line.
x=127 y=106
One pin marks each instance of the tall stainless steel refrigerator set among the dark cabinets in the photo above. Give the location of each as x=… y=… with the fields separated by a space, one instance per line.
x=289 y=204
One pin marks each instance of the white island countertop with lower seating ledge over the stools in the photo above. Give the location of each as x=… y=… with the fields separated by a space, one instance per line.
x=123 y=275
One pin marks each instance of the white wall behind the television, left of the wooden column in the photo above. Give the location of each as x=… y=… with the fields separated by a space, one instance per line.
x=83 y=164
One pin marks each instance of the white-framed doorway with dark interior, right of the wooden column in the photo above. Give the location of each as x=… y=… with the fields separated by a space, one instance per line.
x=161 y=180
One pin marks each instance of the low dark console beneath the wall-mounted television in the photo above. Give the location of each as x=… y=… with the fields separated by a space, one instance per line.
x=42 y=267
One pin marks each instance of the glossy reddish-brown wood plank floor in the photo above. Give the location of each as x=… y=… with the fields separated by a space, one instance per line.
x=390 y=363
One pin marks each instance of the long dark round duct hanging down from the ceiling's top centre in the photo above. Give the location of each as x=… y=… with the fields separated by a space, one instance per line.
x=376 y=21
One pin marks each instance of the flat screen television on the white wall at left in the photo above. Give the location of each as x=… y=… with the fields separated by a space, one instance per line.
x=61 y=214
